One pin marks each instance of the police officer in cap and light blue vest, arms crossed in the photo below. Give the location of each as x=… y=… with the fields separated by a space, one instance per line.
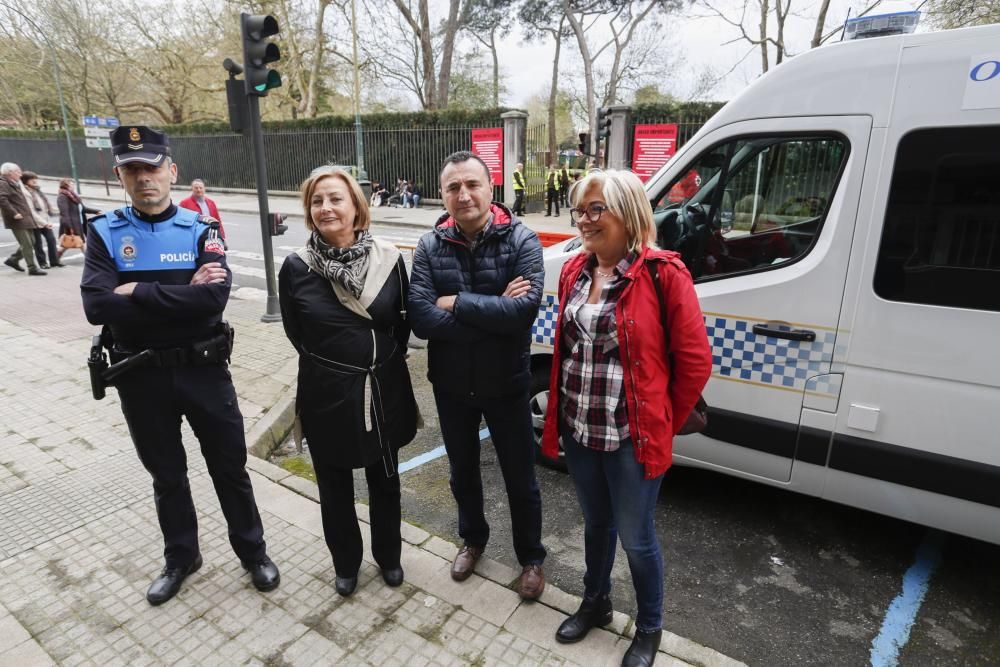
x=156 y=276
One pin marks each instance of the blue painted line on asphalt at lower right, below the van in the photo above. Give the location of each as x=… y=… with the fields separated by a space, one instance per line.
x=902 y=612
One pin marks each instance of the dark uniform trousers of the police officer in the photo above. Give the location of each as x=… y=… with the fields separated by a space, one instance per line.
x=153 y=401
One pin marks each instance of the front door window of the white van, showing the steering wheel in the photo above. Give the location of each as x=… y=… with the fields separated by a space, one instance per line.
x=750 y=204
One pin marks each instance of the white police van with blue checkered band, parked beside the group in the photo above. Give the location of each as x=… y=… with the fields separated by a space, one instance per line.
x=844 y=237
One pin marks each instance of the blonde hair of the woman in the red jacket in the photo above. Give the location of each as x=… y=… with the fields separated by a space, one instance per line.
x=625 y=196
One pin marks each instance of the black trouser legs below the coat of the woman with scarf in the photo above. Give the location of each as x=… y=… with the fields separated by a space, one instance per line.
x=340 y=520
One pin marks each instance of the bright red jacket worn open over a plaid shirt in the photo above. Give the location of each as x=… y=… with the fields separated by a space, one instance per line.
x=658 y=397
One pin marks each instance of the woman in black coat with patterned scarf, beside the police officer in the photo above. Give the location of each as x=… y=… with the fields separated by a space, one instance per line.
x=343 y=304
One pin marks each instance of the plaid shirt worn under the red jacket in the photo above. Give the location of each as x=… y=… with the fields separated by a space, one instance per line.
x=592 y=391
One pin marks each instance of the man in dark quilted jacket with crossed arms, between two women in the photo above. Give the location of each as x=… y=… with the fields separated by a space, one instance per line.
x=474 y=294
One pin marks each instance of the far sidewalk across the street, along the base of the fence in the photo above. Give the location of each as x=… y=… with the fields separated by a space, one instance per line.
x=288 y=204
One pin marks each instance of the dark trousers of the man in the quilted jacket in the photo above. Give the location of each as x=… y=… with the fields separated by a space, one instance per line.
x=509 y=421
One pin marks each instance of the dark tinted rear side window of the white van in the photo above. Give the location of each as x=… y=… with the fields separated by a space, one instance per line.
x=941 y=239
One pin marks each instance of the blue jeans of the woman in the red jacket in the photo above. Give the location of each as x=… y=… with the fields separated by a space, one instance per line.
x=618 y=502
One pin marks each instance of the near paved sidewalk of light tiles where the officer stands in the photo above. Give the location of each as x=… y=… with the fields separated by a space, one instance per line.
x=79 y=542
